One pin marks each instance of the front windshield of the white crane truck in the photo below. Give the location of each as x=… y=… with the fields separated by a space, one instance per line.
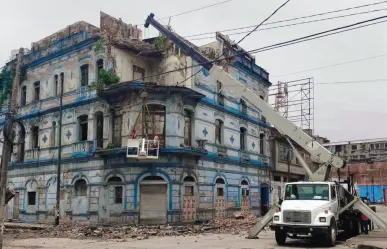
x=307 y=192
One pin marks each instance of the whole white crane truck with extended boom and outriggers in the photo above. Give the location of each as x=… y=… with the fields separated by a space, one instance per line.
x=317 y=208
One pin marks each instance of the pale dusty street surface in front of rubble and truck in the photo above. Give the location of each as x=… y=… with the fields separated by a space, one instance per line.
x=266 y=241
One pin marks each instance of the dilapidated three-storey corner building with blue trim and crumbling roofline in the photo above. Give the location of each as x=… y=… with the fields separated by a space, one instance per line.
x=214 y=150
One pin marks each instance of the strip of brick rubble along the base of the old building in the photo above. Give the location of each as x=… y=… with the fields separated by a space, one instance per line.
x=241 y=223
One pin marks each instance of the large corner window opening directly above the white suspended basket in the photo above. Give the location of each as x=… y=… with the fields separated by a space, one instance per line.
x=155 y=122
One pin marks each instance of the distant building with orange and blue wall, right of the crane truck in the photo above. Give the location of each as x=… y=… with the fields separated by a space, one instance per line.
x=367 y=163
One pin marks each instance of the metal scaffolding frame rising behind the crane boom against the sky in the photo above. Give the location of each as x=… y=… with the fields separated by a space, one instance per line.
x=295 y=101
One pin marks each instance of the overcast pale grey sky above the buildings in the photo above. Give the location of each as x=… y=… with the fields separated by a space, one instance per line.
x=341 y=111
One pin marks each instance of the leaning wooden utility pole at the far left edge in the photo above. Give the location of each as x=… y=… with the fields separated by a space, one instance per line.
x=8 y=143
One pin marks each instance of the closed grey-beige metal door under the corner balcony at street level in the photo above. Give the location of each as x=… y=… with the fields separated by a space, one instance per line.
x=153 y=203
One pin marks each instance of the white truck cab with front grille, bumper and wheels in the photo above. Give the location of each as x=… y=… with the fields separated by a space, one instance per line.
x=308 y=209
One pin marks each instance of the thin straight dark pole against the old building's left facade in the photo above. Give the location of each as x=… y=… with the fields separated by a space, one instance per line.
x=57 y=207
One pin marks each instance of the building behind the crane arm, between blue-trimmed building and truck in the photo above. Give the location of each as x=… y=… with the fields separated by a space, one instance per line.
x=285 y=165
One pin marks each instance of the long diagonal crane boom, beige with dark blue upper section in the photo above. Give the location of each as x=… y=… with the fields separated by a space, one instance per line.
x=233 y=88
